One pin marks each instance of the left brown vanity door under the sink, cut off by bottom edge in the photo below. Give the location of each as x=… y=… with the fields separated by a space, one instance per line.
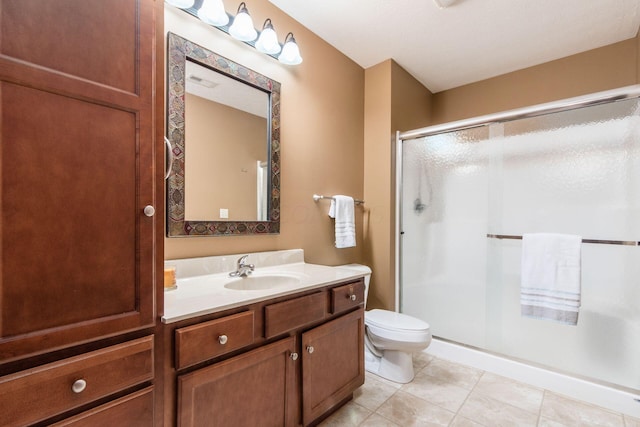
x=254 y=389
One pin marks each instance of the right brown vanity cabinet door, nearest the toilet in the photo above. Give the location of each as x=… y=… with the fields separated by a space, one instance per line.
x=332 y=363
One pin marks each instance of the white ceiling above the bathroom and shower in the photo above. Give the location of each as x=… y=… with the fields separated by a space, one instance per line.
x=470 y=40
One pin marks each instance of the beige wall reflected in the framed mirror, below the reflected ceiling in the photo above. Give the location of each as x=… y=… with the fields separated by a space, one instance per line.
x=221 y=173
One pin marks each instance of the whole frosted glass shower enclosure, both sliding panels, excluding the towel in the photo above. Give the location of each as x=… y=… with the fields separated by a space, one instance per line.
x=572 y=170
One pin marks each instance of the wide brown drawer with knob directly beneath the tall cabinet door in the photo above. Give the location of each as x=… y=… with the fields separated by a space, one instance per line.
x=42 y=392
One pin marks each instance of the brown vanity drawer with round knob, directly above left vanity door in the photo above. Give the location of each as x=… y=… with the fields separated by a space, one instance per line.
x=207 y=340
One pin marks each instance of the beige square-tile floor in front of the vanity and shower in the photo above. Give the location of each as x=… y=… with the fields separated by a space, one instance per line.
x=444 y=393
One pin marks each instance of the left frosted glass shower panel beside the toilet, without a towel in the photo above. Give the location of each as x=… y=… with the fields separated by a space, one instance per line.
x=445 y=178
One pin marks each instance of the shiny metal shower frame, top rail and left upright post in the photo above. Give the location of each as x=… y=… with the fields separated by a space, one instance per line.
x=626 y=92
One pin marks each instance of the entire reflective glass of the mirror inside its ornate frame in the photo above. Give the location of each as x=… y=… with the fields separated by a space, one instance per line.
x=223 y=115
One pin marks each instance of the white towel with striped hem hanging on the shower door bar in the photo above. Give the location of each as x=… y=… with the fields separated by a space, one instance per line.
x=550 y=277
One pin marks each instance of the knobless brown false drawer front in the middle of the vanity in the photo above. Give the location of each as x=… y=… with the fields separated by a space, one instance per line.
x=294 y=313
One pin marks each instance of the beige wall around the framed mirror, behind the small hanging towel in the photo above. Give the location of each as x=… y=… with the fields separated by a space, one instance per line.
x=322 y=126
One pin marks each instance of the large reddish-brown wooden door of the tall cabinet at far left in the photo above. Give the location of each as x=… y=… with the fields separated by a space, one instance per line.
x=77 y=162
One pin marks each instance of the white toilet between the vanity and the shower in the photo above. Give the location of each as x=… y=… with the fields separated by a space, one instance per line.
x=390 y=338
